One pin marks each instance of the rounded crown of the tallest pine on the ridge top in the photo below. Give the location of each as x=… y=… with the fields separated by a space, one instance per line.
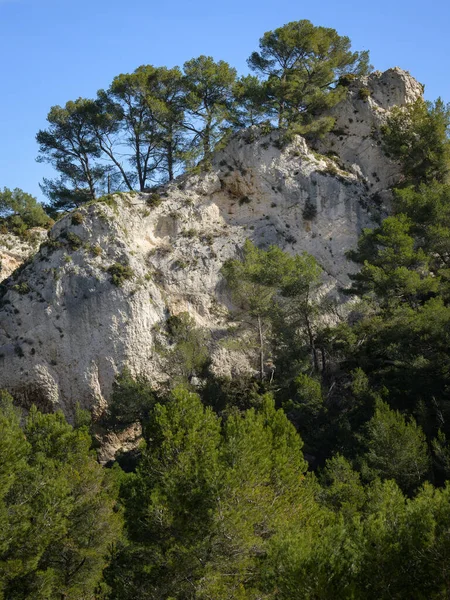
x=303 y=64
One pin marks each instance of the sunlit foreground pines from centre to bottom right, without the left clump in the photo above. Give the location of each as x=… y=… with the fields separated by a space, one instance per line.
x=223 y=509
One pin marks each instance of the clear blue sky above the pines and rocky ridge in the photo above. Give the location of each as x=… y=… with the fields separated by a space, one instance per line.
x=52 y=51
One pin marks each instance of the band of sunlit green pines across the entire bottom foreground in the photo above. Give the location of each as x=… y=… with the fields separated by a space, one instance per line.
x=216 y=508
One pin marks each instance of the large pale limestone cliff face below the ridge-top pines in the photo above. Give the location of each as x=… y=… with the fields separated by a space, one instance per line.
x=68 y=331
